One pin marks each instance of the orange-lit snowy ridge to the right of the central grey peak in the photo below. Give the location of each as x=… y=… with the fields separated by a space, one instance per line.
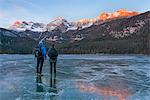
x=85 y=23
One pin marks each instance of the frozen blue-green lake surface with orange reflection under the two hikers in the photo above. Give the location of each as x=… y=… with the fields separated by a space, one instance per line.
x=79 y=77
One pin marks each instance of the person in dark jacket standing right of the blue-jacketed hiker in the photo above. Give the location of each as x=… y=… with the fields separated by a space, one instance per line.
x=53 y=54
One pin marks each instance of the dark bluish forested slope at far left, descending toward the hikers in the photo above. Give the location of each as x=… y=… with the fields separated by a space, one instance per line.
x=13 y=43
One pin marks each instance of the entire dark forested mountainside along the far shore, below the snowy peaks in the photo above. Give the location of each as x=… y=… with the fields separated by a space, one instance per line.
x=123 y=35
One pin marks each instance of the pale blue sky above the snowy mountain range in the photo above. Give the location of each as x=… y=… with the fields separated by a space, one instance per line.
x=45 y=10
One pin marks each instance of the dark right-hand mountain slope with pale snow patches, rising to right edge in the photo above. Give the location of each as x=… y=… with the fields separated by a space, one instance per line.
x=127 y=35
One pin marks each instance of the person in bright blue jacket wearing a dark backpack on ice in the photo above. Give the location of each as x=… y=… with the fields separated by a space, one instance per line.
x=40 y=53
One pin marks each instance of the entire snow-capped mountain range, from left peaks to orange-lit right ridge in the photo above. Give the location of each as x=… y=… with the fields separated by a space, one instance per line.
x=63 y=25
